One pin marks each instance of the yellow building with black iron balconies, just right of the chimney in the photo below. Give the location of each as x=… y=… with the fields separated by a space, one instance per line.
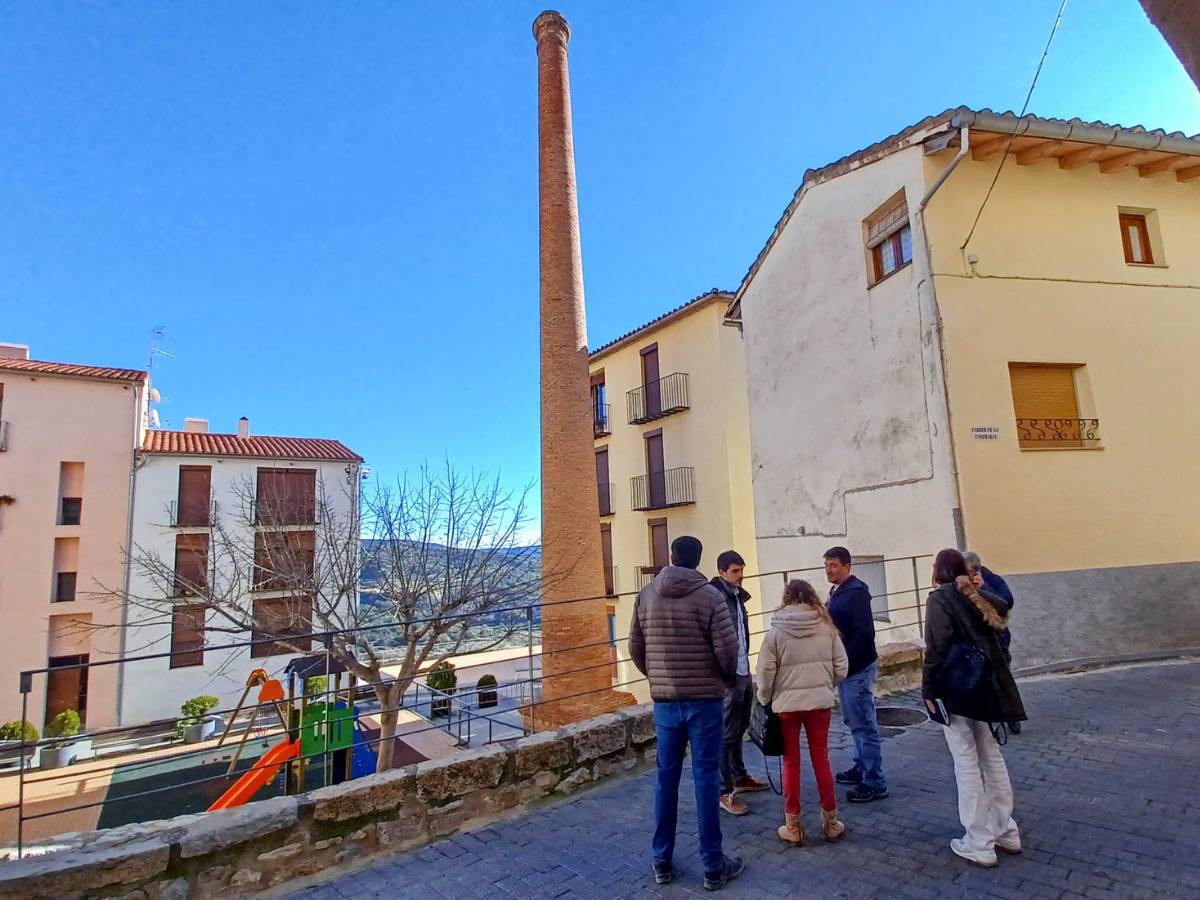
x=673 y=453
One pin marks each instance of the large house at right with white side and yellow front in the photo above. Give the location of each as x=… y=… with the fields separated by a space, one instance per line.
x=935 y=362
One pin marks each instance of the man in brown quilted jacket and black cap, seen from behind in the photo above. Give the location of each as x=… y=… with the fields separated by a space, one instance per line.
x=683 y=640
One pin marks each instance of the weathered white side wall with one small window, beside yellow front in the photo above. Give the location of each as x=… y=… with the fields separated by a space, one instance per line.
x=848 y=412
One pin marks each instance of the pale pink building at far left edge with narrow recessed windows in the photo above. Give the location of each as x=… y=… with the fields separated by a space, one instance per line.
x=68 y=439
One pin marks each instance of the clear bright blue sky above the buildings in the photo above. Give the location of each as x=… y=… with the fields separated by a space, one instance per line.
x=332 y=208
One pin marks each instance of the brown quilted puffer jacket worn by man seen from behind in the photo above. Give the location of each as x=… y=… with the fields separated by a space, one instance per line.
x=682 y=637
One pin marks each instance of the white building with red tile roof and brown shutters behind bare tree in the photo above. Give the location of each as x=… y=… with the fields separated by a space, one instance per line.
x=226 y=513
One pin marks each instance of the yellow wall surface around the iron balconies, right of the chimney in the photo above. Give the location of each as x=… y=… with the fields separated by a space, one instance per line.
x=712 y=437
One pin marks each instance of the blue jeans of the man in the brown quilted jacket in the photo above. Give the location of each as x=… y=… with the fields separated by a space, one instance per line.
x=677 y=724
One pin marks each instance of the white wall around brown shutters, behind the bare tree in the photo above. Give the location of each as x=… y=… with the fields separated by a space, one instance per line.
x=151 y=689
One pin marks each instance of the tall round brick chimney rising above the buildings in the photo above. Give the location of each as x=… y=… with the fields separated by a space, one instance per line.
x=572 y=561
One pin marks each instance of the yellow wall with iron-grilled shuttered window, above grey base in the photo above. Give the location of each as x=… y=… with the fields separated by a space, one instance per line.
x=1135 y=501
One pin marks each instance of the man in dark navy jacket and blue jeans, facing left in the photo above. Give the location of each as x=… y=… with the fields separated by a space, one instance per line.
x=850 y=605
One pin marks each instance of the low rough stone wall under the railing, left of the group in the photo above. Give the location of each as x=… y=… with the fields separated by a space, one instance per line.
x=263 y=845
